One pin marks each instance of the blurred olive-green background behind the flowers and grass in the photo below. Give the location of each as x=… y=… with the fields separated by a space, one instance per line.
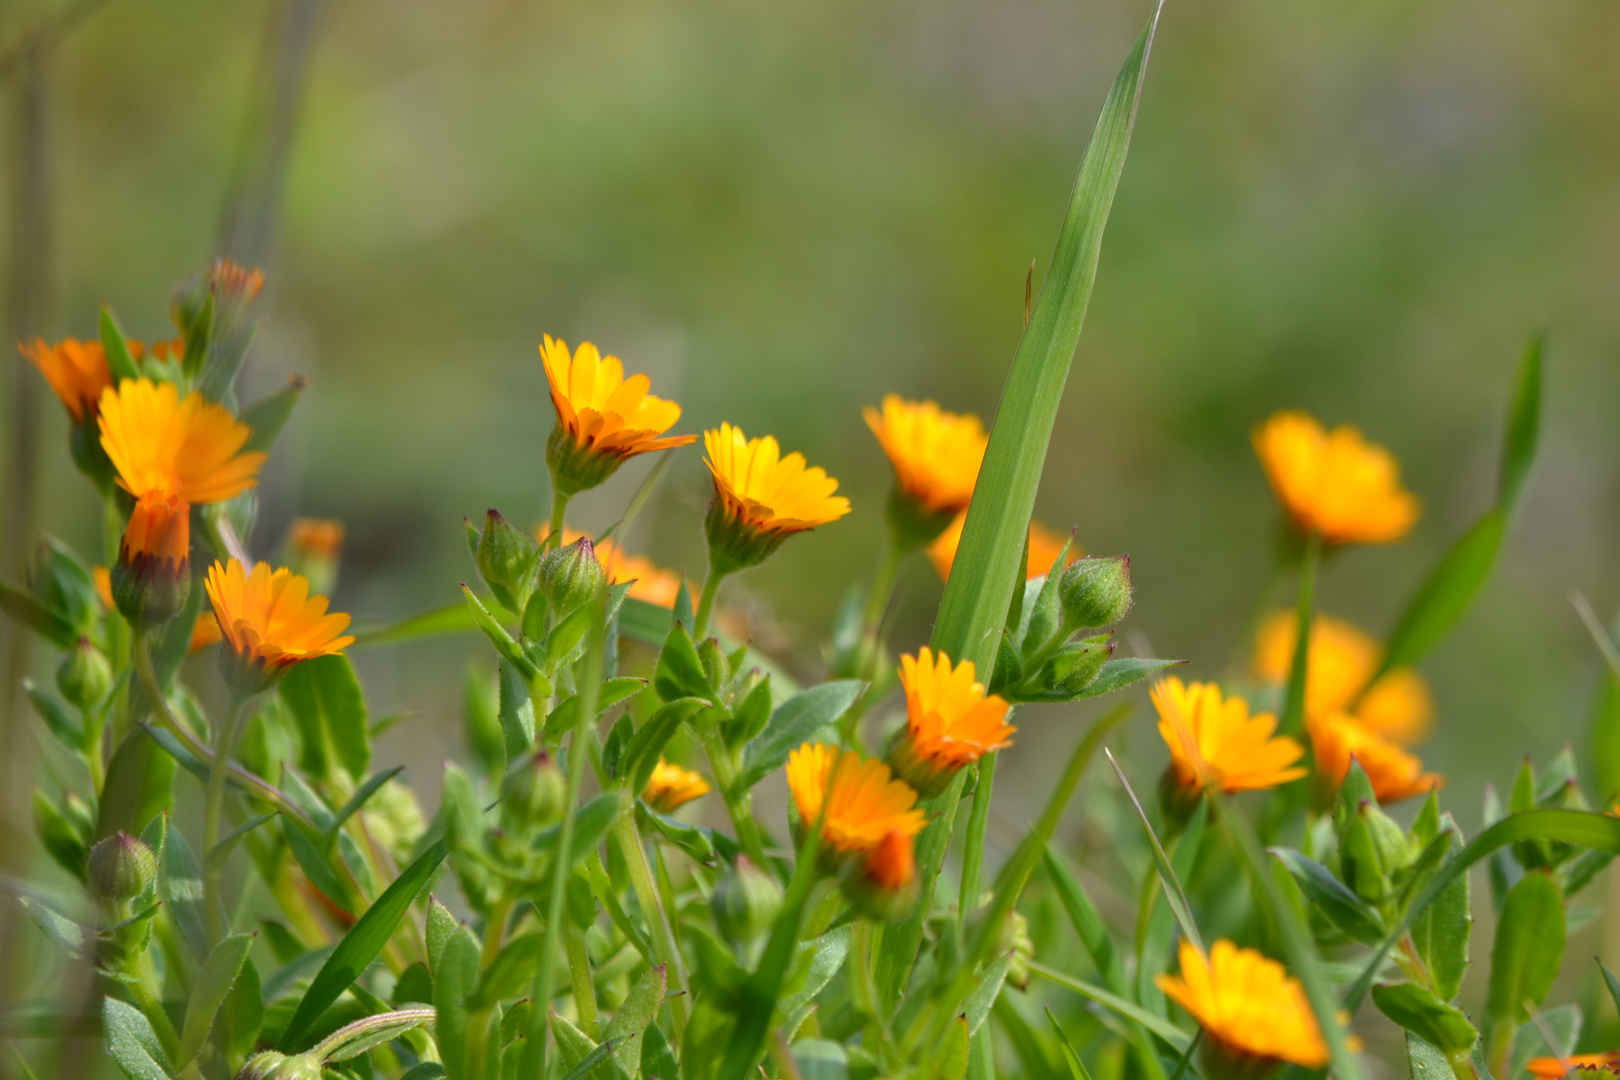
x=785 y=211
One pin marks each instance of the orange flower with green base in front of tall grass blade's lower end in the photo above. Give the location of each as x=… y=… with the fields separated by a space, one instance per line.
x=950 y=721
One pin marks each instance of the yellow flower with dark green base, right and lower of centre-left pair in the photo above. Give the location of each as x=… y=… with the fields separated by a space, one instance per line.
x=762 y=498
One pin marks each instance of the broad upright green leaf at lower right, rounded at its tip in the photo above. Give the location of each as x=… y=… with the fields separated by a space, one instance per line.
x=1525 y=959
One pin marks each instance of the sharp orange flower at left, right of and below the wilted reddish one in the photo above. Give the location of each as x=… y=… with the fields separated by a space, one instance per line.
x=270 y=623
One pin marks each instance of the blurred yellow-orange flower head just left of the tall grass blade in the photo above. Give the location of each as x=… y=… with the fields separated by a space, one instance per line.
x=936 y=454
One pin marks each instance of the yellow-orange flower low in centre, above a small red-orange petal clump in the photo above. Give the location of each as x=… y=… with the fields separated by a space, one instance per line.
x=864 y=804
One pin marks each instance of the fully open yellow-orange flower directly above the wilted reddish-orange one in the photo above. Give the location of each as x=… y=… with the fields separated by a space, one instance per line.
x=163 y=444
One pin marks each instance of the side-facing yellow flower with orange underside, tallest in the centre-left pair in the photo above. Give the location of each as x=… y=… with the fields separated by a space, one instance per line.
x=603 y=419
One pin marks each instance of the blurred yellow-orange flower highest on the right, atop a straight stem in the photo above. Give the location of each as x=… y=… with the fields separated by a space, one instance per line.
x=1334 y=483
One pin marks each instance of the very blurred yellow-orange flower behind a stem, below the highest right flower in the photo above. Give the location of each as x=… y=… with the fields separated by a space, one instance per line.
x=1342 y=660
